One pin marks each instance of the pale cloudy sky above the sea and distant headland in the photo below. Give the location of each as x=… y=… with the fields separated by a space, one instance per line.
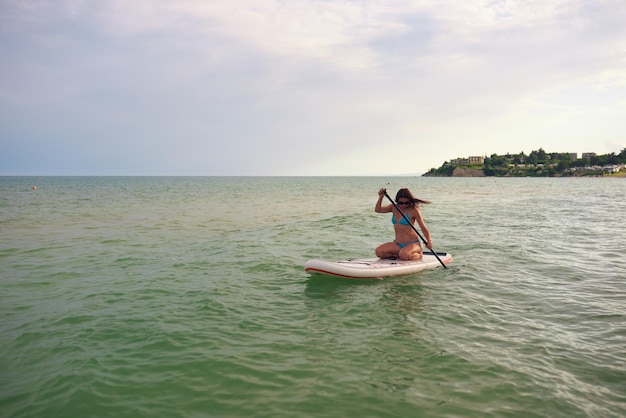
x=304 y=87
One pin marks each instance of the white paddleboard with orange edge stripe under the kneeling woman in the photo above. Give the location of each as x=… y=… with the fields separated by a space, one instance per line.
x=374 y=268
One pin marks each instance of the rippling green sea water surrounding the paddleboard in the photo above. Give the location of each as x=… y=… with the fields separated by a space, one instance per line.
x=187 y=297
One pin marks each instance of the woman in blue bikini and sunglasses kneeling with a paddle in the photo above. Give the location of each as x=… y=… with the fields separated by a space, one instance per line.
x=407 y=243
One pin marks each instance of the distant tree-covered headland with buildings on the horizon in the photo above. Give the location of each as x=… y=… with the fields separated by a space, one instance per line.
x=536 y=164
